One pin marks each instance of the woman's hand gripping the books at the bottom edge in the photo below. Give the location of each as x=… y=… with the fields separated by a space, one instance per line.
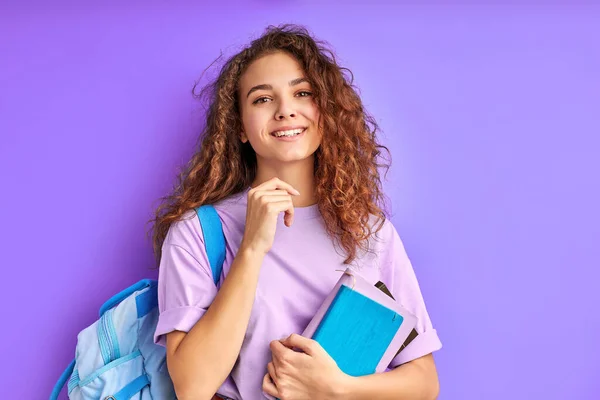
x=311 y=375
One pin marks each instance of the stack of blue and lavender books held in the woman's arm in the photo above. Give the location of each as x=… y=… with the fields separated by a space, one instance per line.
x=361 y=326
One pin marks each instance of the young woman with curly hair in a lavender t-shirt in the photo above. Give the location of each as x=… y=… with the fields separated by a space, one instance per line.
x=289 y=159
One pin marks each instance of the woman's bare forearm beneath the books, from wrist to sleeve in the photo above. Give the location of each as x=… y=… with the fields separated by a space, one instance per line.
x=415 y=380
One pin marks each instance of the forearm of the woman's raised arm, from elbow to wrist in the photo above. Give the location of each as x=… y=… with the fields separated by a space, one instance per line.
x=206 y=355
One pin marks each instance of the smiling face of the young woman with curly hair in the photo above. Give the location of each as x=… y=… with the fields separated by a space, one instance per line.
x=279 y=116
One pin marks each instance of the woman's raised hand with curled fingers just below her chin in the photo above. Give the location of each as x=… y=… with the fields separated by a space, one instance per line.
x=265 y=202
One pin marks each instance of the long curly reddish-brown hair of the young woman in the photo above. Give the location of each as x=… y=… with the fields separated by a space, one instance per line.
x=348 y=185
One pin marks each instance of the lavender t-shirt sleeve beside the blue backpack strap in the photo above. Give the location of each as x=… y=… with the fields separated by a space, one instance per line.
x=185 y=284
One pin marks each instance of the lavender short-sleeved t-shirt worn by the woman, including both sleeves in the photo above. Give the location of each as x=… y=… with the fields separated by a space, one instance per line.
x=295 y=278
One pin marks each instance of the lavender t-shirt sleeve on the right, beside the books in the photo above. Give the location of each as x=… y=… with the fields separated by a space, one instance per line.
x=399 y=276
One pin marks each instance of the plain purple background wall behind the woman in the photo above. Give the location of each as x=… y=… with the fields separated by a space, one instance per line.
x=491 y=114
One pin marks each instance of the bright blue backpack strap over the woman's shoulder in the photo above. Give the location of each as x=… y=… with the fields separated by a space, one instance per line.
x=214 y=239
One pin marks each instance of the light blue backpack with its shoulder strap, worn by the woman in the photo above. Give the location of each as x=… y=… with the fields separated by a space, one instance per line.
x=116 y=357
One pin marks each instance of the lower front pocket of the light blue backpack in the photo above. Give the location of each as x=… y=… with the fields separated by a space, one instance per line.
x=120 y=379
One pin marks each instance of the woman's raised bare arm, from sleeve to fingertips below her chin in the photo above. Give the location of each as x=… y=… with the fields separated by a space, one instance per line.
x=200 y=360
